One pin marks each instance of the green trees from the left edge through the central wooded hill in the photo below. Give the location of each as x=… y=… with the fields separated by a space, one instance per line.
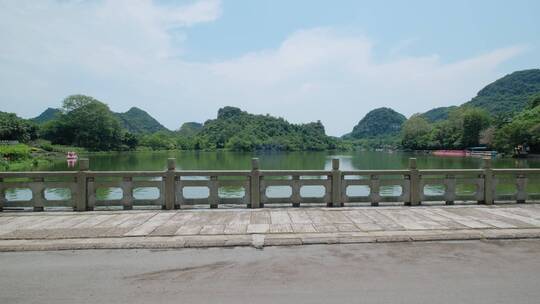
x=87 y=122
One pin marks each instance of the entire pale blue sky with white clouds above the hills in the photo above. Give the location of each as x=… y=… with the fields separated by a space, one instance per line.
x=302 y=60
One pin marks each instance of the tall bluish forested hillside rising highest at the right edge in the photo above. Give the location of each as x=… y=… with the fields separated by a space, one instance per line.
x=508 y=94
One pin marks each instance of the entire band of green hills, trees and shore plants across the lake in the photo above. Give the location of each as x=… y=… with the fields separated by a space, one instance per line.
x=504 y=115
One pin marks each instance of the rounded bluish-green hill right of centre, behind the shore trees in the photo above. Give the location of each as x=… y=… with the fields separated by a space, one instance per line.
x=380 y=122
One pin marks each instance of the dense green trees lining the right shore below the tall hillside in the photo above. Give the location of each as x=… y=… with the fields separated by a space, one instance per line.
x=468 y=127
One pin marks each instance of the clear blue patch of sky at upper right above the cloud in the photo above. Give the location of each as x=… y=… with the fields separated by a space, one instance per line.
x=451 y=29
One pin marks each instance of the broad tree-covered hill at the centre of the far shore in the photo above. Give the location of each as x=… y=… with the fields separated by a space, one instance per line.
x=238 y=130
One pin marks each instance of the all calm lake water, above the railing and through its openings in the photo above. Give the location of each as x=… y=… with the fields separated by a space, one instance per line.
x=224 y=160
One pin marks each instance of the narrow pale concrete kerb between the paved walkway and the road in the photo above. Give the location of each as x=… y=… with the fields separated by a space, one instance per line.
x=261 y=240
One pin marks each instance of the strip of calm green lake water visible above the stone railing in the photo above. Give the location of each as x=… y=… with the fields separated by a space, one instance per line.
x=224 y=160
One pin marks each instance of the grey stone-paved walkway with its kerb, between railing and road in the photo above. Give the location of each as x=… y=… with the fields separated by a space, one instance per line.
x=264 y=227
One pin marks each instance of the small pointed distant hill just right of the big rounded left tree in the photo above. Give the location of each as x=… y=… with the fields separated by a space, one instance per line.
x=138 y=121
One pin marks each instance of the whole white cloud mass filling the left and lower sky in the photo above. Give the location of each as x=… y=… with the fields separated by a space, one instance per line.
x=122 y=52
